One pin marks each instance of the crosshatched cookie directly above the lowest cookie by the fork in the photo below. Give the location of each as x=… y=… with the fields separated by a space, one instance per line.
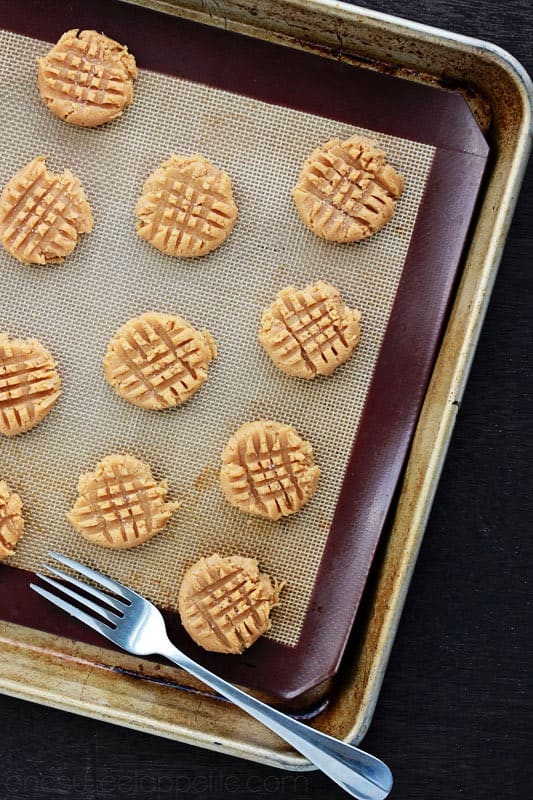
x=268 y=470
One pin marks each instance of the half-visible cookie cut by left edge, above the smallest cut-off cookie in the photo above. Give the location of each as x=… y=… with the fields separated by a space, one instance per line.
x=29 y=384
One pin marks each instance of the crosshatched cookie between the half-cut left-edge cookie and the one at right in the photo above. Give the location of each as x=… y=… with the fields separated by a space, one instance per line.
x=158 y=360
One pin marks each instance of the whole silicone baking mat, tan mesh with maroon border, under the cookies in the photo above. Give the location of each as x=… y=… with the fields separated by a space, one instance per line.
x=75 y=307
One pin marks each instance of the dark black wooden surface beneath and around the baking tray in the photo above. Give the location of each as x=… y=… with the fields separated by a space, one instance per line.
x=454 y=716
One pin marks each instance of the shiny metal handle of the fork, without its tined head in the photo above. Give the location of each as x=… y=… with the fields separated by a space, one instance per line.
x=361 y=775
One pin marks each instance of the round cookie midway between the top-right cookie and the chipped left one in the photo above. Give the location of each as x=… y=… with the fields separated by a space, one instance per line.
x=186 y=207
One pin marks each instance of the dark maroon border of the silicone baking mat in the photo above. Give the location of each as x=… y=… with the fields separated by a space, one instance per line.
x=414 y=111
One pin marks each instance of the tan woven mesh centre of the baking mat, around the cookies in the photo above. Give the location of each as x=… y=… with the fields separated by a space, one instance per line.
x=74 y=308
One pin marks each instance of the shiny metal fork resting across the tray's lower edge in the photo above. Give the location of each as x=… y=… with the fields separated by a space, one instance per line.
x=135 y=625
